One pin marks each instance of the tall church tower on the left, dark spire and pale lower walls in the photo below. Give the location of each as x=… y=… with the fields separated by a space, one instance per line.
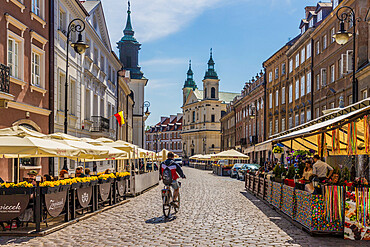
x=129 y=48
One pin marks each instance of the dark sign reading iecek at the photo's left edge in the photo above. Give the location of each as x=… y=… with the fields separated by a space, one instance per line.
x=12 y=206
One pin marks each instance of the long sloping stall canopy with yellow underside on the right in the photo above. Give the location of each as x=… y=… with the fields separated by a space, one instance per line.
x=345 y=131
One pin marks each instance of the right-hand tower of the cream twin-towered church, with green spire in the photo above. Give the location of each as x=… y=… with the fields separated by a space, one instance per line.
x=211 y=81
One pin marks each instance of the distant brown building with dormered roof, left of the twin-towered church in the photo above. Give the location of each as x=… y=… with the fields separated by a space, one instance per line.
x=165 y=135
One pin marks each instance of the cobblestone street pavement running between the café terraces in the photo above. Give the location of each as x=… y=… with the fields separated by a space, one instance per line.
x=215 y=211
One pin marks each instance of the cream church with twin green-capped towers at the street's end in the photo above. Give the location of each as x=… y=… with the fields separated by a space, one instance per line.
x=202 y=111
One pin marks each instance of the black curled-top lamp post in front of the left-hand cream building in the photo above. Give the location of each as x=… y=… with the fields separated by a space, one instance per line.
x=75 y=26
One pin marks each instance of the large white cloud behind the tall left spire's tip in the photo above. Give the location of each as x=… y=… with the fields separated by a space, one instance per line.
x=153 y=19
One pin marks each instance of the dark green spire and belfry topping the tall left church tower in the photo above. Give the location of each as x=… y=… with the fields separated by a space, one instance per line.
x=129 y=49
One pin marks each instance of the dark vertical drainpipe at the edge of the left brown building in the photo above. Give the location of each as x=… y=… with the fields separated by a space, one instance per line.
x=51 y=78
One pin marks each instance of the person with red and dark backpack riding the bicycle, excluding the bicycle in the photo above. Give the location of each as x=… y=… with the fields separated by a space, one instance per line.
x=170 y=172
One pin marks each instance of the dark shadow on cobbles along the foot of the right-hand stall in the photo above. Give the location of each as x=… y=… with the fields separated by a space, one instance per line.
x=298 y=235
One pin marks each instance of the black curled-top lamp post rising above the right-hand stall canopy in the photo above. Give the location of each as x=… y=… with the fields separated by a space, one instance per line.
x=342 y=38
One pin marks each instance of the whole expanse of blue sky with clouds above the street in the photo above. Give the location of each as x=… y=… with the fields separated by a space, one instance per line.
x=242 y=33
